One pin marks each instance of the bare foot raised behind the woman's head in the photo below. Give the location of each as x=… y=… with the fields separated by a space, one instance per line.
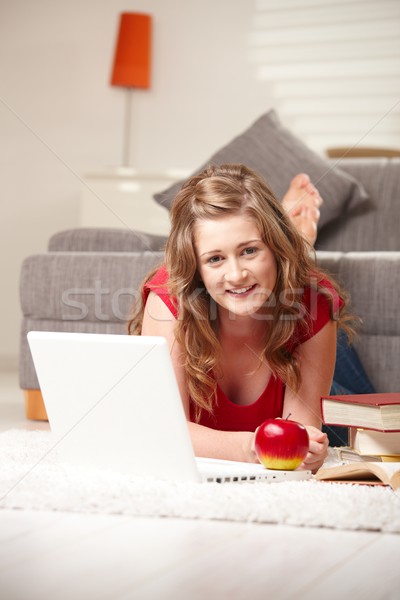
x=301 y=202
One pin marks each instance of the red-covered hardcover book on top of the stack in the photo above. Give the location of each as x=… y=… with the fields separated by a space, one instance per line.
x=380 y=412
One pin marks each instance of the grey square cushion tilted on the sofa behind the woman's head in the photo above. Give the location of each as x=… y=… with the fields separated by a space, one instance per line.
x=273 y=151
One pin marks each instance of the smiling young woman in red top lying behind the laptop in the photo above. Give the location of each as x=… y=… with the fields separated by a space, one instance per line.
x=251 y=322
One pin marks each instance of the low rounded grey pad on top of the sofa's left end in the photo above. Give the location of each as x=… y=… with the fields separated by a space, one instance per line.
x=104 y=240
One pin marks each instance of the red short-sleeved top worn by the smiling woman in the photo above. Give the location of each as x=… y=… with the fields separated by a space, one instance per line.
x=227 y=415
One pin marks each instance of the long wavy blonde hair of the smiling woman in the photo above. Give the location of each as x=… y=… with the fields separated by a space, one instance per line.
x=217 y=192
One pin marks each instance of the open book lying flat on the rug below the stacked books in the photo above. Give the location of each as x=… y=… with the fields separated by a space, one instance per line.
x=387 y=473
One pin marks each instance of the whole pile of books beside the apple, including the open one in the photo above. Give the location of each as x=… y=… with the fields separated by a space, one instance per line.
x=374 y=436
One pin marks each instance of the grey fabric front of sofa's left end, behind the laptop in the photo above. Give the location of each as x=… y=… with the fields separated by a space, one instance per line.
x=88 y=292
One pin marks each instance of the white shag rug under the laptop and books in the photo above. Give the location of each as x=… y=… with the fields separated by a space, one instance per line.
x=31 y=477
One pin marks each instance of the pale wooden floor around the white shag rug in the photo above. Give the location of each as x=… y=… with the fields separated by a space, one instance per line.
x=54 y=555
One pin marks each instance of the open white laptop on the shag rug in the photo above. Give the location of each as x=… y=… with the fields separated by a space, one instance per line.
x=113 y=402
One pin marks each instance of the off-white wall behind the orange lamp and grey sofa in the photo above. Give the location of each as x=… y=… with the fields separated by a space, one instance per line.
x=217 y=67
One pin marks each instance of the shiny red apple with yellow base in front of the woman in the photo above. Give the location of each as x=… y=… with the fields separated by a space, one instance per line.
x=281 y=444
